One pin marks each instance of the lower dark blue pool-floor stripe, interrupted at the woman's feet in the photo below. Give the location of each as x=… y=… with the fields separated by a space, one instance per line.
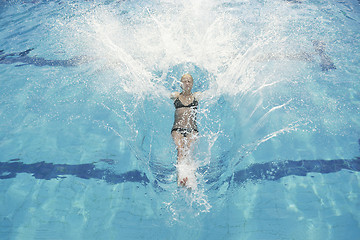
x=260 y=171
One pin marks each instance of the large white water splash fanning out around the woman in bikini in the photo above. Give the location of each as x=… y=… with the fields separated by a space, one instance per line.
x=228 y=47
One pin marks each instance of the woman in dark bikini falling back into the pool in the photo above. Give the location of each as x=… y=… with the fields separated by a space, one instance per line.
x=184 y=131
